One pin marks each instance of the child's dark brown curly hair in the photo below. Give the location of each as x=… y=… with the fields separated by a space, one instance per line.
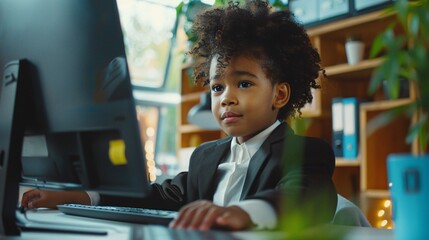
x=274 y=38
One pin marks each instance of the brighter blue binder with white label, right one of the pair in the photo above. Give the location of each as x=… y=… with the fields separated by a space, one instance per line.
x=351 y=128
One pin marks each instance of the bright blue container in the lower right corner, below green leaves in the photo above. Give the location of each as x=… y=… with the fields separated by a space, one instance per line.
x=408 y=178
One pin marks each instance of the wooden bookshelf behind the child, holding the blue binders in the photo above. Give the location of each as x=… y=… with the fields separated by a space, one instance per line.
x=364 y=179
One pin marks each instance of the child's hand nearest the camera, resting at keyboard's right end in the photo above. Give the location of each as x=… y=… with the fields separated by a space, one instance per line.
x=204 y=215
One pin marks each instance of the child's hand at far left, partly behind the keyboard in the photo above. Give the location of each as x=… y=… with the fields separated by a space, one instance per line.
x=50 y=199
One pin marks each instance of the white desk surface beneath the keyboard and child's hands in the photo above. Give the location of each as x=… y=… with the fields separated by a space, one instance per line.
x=119 y=230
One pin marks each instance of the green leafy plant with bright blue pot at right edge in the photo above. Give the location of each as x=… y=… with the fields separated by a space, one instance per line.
x=407 y=57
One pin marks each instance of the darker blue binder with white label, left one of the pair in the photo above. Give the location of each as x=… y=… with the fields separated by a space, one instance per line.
x=337 y=126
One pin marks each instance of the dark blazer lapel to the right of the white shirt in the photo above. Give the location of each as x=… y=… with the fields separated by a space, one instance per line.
x=261 y=156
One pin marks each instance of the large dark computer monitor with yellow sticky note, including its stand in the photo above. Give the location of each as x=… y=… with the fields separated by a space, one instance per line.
x=67 y=114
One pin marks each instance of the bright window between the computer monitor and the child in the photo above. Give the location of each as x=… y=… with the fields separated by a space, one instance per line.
x=149 y=29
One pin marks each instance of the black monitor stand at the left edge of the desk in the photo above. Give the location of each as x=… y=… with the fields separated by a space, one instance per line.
x=12 y=125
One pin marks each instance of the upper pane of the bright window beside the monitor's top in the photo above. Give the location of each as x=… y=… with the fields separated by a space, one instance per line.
x=149 y=28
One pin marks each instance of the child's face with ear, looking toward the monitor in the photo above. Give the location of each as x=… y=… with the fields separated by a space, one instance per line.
x=244 y=101
